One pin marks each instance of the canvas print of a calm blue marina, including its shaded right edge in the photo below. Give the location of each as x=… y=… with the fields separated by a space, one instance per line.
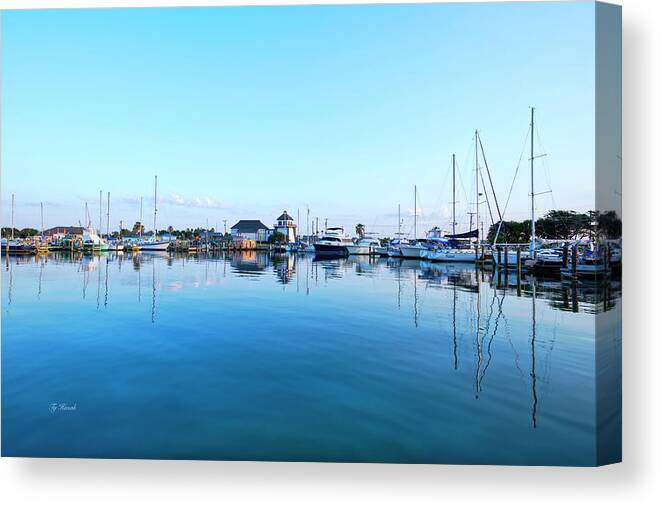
x=356 y=233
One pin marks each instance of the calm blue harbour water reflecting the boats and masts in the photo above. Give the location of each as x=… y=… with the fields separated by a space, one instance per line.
x=254 y=357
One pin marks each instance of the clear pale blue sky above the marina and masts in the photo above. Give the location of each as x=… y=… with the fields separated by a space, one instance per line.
x=243 y=112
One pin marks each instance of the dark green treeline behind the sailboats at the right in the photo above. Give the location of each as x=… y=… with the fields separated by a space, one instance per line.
x=568 y=225
